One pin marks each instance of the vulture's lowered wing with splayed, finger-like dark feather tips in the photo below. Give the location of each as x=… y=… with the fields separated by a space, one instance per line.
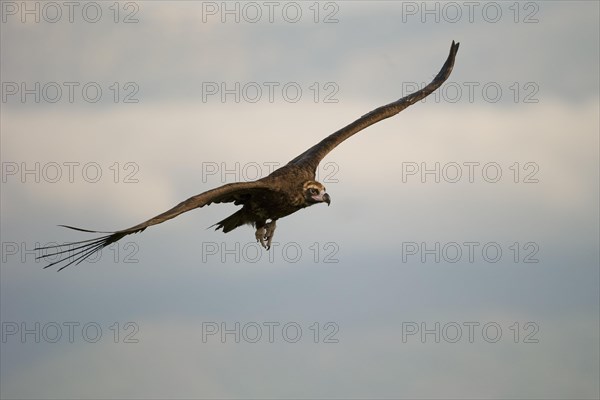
x=76 y=252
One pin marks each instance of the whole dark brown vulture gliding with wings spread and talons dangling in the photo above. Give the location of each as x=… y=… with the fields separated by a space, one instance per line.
x=285 y=191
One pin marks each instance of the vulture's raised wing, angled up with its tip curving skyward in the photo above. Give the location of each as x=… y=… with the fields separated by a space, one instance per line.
x=311 y=158
